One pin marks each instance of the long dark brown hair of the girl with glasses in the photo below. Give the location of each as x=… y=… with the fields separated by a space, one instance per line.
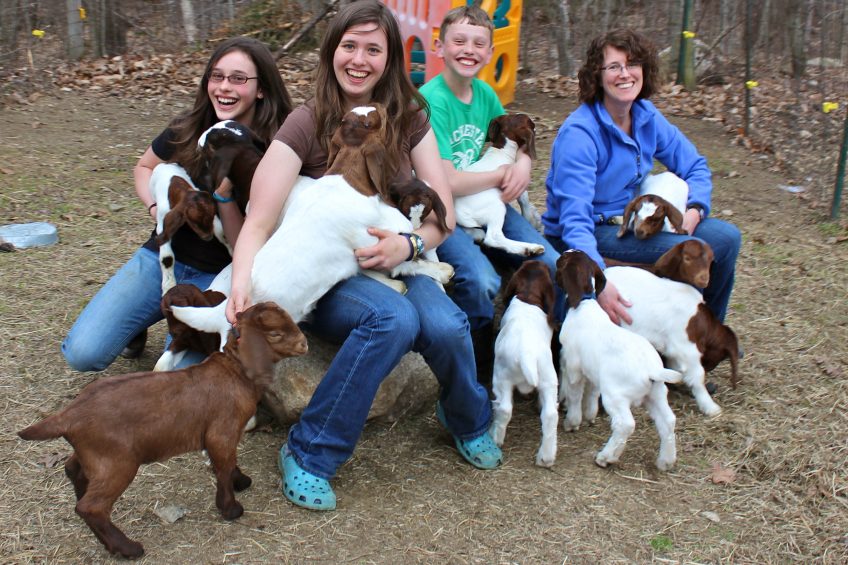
x=270 y=110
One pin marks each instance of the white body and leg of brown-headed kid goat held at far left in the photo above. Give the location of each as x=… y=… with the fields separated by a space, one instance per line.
x=160 y=187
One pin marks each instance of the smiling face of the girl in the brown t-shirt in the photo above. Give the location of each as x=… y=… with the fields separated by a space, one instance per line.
x=359 y=62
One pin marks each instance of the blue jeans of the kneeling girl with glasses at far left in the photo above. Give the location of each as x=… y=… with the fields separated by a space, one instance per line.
x=127 y=304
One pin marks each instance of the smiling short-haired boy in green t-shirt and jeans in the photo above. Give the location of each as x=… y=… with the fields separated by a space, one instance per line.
x=461 y=107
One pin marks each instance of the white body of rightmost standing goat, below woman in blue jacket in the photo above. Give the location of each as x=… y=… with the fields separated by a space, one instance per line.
x=661 y=312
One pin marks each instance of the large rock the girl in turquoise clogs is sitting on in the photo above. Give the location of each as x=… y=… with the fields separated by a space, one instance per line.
x=409 y=387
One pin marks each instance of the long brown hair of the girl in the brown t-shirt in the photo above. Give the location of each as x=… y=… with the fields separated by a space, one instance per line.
x=394 y=89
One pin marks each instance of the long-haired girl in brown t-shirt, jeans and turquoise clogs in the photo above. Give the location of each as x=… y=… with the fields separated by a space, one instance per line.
x=361 y=60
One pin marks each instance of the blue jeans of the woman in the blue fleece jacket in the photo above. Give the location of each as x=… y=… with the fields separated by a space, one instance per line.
x=724 y=238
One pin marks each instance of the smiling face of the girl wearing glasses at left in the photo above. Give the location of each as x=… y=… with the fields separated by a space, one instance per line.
x=234 y=101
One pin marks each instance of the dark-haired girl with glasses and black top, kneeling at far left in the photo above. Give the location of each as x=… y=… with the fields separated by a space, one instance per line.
x=118 y=316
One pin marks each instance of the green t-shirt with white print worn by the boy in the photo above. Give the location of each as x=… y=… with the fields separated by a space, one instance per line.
x=461 y=128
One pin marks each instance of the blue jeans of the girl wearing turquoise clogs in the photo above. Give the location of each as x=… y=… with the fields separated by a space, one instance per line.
x=376 y=326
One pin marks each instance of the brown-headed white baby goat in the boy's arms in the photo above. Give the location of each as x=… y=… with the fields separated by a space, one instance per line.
x=485 y=210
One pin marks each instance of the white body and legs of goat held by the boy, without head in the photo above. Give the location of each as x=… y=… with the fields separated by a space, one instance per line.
x=486 y=210
